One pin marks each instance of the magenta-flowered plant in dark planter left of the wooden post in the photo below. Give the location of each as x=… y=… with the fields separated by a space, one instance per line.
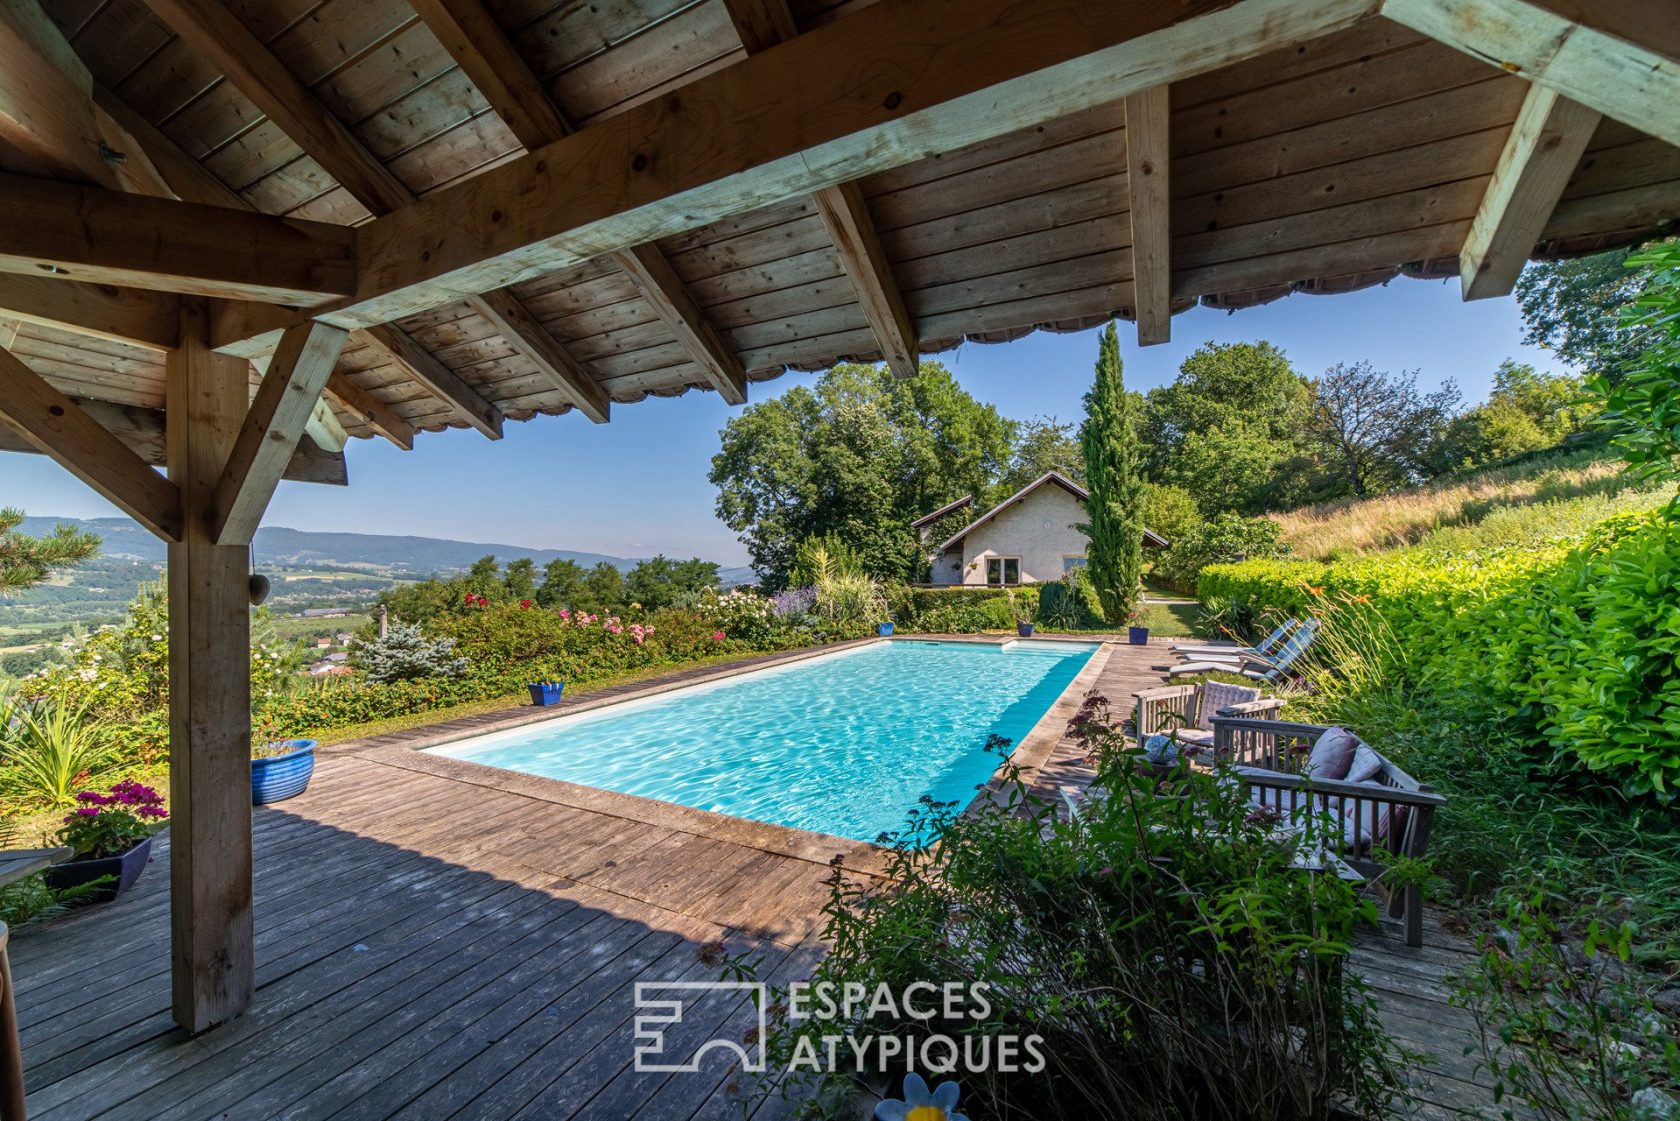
x=112 y=836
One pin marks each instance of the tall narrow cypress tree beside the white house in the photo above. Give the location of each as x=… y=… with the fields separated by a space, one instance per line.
x=1115 y=478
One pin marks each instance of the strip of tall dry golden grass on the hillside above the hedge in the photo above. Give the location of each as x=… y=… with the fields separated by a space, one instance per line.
x=1573 y=490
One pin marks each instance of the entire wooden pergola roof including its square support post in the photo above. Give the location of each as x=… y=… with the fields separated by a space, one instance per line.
x=297 y=223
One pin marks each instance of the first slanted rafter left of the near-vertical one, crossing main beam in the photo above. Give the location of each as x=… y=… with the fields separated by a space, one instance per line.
x=844 y=211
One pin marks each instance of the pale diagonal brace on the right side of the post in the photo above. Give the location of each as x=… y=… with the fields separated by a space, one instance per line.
x=290 y=394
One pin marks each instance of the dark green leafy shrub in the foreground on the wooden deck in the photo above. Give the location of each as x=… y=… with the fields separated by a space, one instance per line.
x=1162 y=949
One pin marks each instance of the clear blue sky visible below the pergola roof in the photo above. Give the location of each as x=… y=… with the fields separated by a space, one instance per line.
x=638 y=487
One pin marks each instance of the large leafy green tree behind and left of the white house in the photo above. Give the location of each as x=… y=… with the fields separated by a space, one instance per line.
x=859 y=455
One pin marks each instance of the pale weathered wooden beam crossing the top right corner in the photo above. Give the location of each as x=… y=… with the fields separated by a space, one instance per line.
x=1622 y=60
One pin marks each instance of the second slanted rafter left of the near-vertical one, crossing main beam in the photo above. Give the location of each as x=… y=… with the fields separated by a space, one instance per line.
x=485 y=53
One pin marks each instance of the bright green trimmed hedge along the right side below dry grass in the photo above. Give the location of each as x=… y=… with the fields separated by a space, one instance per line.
x=1578 y=648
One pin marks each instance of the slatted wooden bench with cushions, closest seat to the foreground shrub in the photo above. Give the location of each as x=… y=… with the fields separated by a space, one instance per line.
x=1390 y=813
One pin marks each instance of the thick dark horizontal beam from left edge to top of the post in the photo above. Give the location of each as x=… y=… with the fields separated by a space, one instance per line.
x=75 y=233
